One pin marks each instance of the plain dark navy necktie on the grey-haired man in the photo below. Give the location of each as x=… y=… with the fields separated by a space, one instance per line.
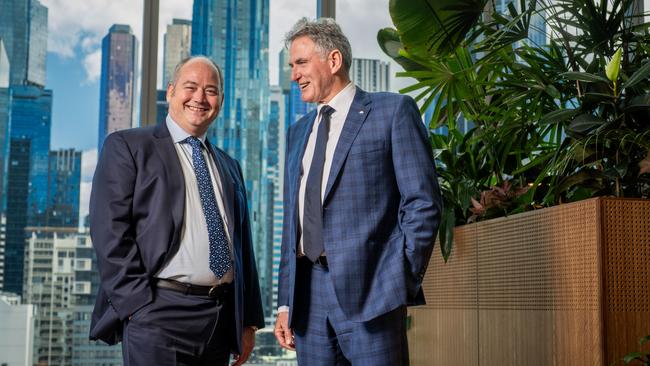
x=312 y=221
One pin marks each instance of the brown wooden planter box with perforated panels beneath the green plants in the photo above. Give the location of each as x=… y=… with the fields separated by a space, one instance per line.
x=567 y=285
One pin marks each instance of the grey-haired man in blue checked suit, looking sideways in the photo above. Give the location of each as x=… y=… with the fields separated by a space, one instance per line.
x=361 y=211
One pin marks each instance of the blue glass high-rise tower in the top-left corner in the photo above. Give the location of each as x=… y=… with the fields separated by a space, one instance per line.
x=23 y=29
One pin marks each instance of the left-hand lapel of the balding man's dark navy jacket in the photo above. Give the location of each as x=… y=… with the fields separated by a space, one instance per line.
x=174 y=174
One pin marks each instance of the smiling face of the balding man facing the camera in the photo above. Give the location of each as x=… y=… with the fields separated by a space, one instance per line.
x=195 y=98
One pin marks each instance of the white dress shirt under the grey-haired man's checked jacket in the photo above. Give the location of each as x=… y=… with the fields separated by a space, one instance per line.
x=341 y=104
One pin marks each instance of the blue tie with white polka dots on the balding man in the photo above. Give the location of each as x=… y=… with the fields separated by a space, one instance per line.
x=219 y=251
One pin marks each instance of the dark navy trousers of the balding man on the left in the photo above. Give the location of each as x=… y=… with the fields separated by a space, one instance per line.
x=178 y=329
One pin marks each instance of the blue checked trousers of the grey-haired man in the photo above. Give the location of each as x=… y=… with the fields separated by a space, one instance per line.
x=325 y=337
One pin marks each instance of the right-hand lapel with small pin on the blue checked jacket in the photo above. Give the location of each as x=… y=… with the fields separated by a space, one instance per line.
x=356 y=117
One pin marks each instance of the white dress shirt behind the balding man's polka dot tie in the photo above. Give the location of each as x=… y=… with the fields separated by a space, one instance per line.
x=191 y=263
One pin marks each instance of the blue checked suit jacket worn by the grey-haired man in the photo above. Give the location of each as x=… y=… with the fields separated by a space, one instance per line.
x=381 y=208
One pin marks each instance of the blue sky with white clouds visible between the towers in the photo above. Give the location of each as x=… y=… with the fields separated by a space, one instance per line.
x=76 y=28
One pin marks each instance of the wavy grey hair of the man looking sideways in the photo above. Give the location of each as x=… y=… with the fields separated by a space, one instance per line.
x=326 y=34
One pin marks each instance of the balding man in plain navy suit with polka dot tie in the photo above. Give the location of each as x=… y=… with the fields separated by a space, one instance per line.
x=169 y=222
